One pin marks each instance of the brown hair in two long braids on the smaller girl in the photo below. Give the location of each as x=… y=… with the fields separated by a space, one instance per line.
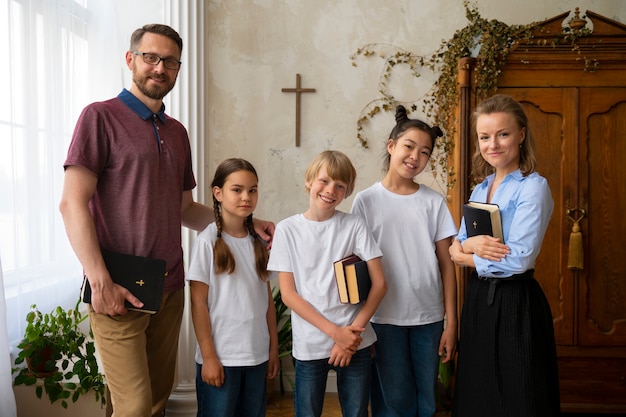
x=223 y=257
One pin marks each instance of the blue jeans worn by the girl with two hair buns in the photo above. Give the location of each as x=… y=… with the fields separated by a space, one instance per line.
x=406 y=364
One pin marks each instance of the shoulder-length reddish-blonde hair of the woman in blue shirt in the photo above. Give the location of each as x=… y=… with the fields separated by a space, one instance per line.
x=501 y=103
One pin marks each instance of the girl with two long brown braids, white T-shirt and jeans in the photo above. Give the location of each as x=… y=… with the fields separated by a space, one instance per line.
x=231 y=301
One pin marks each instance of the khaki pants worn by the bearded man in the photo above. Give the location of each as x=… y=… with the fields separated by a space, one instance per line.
x=138 y=353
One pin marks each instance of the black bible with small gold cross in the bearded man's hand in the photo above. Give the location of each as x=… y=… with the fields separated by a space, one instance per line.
x=144 y=277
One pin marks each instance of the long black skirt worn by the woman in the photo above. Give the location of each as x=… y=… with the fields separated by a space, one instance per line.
x=507 y=363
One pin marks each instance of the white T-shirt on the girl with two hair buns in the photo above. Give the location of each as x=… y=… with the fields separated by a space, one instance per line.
x=406 y=228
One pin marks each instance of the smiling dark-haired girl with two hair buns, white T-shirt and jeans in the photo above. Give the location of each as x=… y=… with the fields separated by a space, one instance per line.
x=413 y=228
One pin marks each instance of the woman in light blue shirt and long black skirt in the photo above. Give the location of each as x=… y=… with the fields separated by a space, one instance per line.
x=507 y=362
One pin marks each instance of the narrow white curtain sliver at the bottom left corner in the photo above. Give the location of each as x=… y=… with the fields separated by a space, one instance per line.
x=7 y=400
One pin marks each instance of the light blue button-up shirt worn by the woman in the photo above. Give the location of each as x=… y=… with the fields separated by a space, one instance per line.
x=526 y=207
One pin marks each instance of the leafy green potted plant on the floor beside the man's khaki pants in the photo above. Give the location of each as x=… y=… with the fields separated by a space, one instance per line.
x=57 y=352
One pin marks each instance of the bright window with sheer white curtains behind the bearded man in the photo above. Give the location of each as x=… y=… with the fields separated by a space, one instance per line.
x=56 y=58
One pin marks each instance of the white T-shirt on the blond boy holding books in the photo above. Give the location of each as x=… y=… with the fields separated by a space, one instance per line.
x=308 y=249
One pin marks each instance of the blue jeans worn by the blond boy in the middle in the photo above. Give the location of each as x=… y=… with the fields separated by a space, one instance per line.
x=353 y=384
